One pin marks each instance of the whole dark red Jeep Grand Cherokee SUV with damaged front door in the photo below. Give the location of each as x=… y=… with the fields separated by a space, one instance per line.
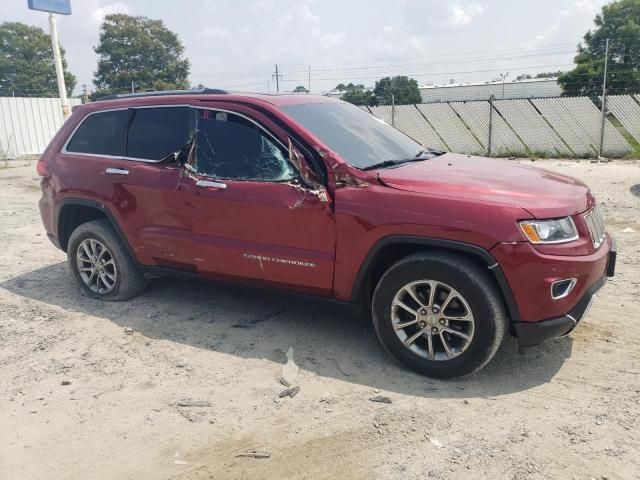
x=309 y=194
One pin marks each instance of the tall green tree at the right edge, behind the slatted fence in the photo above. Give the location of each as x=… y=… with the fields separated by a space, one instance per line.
x=620 y=23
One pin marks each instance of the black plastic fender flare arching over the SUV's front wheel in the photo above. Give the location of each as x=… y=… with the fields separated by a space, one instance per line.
x=452 y=245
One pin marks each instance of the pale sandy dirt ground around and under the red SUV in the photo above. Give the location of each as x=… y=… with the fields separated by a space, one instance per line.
x=197 y=381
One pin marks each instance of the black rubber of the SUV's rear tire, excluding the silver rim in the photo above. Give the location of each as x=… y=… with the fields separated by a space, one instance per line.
x=129 y=281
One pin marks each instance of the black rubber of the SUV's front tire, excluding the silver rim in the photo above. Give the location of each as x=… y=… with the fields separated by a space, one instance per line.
x=477 y=288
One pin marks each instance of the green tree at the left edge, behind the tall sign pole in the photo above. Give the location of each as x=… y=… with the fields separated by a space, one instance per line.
x=26 y=63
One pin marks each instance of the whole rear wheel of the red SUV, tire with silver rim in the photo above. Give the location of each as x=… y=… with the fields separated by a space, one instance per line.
x=120 y=277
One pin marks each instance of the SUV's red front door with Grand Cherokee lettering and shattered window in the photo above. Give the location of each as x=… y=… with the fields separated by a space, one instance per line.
x=251 y=215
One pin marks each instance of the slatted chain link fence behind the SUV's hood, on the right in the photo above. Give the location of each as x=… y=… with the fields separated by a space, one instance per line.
x=546 y=127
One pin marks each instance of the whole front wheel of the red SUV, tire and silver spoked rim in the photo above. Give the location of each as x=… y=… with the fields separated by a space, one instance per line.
x=475 y=299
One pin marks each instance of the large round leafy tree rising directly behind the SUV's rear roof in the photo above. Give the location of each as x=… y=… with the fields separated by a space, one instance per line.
x=139 y=50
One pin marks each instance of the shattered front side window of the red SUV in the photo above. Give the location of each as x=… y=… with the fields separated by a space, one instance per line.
x=231 y=147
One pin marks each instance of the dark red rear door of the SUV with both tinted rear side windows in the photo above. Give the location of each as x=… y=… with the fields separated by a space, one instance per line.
x=120 y=152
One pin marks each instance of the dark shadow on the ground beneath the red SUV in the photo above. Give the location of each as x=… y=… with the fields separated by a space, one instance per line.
x=328 y=339
